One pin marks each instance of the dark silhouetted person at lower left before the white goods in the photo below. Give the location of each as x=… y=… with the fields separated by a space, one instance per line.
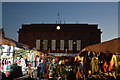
x=15 y=71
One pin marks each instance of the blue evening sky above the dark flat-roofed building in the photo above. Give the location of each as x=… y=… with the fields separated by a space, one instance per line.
x=105 y=14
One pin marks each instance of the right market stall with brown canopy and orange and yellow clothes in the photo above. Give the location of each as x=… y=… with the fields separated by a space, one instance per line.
x=105 y=53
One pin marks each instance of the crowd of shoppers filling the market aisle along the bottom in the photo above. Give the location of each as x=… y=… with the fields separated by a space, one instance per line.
x=91 y=66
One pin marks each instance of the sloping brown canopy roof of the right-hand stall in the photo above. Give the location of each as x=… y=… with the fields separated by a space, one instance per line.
x=112 y=46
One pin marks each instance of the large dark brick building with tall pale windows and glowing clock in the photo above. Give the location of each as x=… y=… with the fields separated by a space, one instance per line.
x=59 y=38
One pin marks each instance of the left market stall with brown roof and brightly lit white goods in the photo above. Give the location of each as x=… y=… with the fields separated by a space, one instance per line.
x=12 y=52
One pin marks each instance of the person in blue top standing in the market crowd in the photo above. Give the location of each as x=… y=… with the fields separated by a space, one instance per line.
x=42 y=66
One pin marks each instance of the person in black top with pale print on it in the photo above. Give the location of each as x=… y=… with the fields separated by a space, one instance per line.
x=70 y=69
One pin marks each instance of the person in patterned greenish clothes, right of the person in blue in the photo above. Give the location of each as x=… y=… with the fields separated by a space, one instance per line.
x=53 y=70
